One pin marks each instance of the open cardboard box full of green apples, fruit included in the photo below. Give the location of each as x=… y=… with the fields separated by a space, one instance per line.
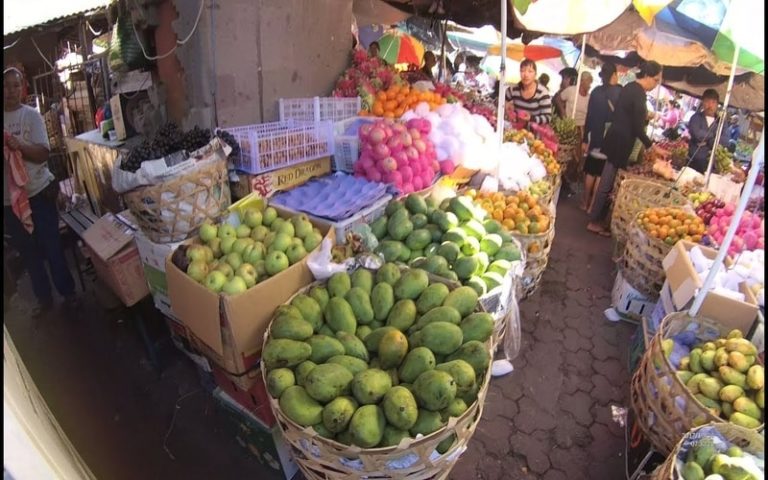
x=225 y=283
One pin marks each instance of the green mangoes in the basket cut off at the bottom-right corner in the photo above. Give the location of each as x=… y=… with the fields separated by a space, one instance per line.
x=705 y=462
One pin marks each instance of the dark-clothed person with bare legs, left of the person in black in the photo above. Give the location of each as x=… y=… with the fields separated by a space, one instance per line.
x=602 y=103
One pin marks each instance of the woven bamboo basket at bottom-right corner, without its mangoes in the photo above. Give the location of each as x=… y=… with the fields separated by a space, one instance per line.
x=748 y=440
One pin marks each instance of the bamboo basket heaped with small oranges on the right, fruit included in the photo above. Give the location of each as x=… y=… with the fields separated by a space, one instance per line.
x=651 y=236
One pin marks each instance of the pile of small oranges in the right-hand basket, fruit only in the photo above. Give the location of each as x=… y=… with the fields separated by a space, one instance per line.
x=671 y=224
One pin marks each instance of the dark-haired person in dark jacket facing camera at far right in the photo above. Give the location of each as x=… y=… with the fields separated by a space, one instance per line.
x=702 y=128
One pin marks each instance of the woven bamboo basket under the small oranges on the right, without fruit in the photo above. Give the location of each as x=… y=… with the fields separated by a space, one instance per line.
x=641 y=262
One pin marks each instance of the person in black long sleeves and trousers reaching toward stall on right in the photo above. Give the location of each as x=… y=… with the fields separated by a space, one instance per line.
x=628 y=125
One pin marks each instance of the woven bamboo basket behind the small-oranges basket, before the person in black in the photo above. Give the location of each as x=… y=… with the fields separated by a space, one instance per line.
x=634 y=195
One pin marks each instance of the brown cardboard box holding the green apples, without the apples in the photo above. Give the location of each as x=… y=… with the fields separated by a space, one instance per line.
x=231 y=329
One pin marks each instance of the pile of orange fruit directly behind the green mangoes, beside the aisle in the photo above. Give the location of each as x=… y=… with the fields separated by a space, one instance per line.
x=517 y=213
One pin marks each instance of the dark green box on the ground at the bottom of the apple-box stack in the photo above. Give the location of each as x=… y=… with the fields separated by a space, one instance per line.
x=265 y=443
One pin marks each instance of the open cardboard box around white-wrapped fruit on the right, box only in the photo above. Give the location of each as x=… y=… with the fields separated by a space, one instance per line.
x=683 y=283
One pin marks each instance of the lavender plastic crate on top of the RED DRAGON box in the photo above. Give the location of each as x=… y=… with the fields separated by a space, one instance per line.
x=268 y=146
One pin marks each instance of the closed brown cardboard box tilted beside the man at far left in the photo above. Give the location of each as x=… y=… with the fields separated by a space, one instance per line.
x=116 y=258
